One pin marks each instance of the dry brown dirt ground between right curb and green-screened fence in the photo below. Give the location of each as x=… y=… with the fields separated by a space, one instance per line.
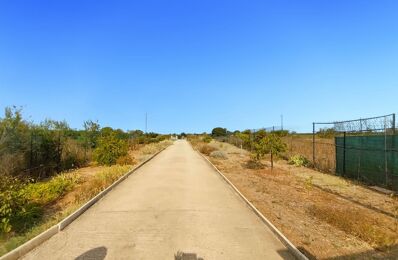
x=325 y=216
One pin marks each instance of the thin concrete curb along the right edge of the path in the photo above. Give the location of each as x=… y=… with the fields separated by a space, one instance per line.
x=290 y=246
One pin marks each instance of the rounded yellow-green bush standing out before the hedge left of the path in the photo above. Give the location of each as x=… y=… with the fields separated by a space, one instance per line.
x=109 y=149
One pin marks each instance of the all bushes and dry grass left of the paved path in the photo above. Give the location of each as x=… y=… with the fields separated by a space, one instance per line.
x=47 y=170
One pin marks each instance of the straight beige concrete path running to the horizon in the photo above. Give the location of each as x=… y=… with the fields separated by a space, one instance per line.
x=176 y=202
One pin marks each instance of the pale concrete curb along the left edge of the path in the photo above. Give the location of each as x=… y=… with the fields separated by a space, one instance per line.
x=45 y=235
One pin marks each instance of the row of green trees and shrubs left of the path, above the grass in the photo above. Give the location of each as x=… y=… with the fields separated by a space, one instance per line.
x=39 y=150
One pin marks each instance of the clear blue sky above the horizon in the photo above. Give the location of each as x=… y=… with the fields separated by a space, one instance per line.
x=194 y=65
